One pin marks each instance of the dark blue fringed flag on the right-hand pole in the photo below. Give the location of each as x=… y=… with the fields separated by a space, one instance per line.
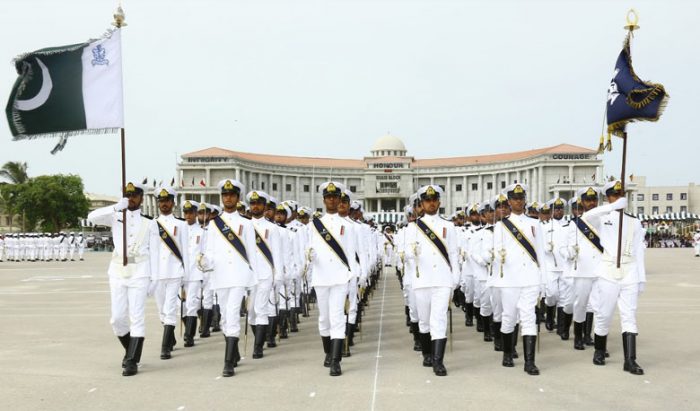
x=631 y=99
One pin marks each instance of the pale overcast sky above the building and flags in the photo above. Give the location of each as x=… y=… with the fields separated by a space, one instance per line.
x=327 y=78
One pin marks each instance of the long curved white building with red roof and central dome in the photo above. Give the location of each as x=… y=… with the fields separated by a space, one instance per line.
x=388 y=176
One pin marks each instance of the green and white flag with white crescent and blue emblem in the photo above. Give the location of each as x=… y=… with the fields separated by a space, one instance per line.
x=69 y=90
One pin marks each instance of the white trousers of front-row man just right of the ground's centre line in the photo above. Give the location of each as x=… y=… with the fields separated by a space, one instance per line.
x=432 y=303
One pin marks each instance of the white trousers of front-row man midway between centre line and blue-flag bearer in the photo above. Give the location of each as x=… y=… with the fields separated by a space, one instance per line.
x=519 y=303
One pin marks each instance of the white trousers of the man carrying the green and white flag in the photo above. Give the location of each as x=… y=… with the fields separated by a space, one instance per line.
x=128 y=296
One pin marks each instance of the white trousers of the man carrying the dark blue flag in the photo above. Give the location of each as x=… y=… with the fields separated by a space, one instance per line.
x=605 y=295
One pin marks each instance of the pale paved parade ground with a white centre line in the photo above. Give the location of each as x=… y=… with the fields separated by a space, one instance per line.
x=58 y=353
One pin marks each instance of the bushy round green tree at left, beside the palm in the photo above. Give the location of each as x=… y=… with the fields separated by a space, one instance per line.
x=53 y=202
